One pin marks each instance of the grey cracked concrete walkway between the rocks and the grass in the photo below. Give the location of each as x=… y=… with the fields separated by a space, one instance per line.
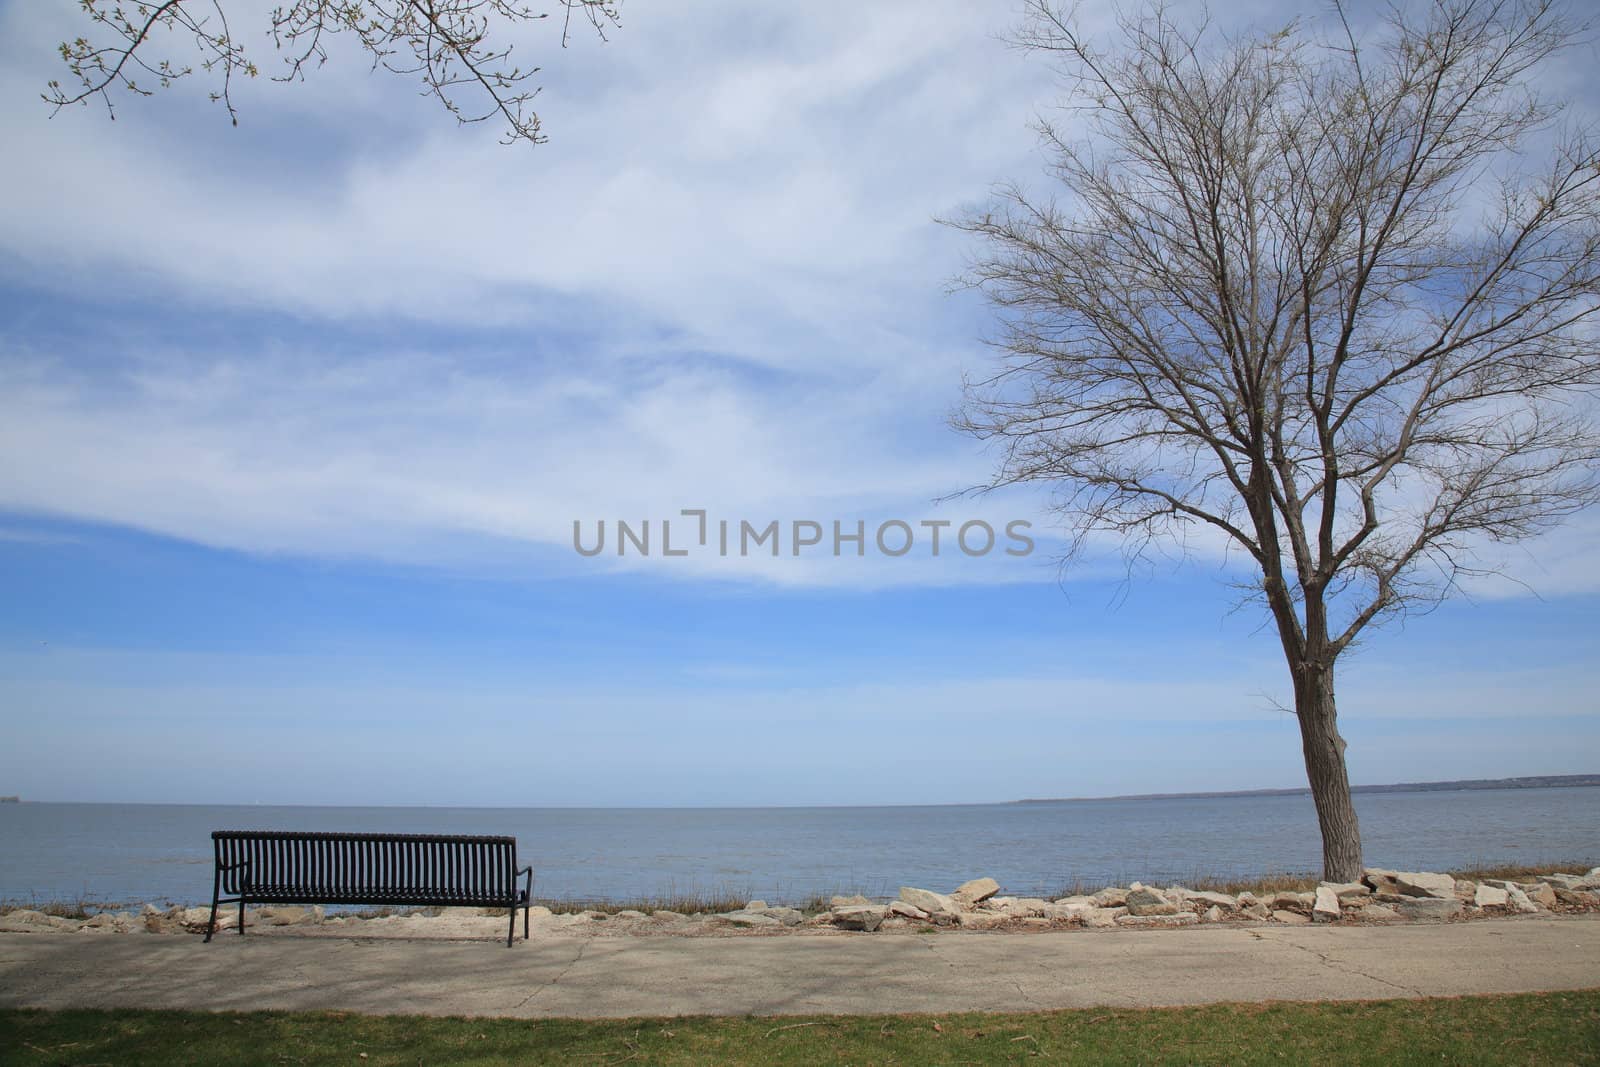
x=788 y=975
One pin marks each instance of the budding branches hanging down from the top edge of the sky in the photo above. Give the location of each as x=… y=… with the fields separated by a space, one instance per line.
x=452 y=47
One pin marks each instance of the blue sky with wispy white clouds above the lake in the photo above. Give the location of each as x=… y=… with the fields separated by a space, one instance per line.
x=297 y=420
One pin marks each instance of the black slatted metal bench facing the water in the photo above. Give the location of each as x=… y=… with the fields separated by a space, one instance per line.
x=369 y=869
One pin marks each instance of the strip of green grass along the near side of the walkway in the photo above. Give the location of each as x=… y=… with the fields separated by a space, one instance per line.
x=1524 y=1029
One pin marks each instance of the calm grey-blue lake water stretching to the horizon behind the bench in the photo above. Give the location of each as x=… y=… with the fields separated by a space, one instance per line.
x=126 y=853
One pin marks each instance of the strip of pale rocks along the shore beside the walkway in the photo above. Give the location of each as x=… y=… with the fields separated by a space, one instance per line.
x=1380 y=898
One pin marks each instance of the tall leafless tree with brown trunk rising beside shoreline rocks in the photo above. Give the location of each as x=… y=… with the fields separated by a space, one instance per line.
x=1326 y=298
